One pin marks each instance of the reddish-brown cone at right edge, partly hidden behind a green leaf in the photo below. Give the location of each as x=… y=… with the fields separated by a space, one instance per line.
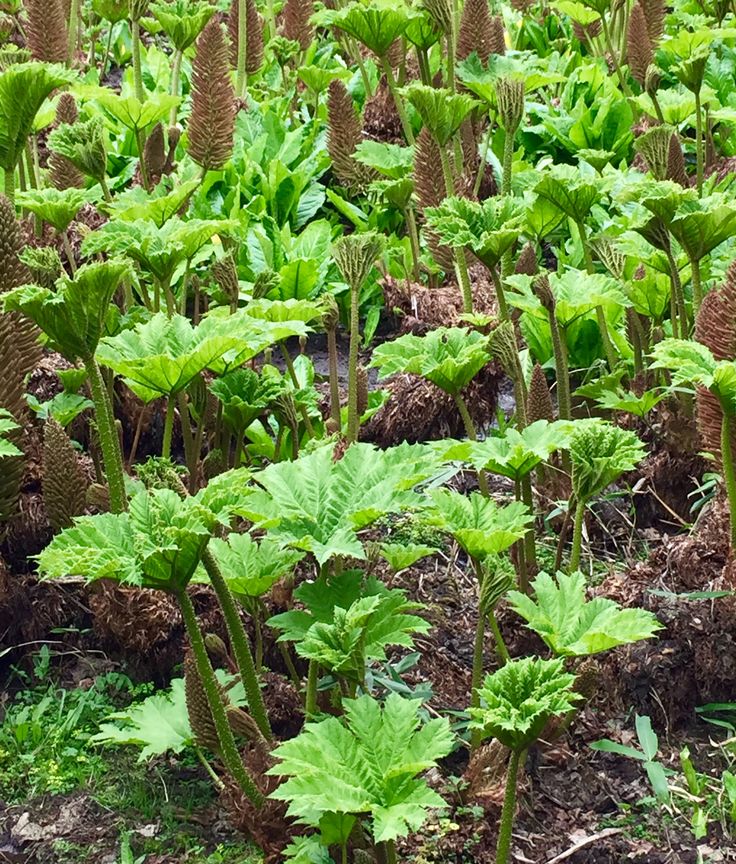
x=715 y=327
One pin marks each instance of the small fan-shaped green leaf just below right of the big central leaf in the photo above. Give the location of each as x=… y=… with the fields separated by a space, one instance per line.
x=479 y=525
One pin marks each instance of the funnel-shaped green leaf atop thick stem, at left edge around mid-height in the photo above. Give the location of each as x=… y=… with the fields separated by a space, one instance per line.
x=73 y=315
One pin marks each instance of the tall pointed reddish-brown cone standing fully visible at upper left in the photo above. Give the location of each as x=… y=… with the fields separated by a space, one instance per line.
x=212 y=122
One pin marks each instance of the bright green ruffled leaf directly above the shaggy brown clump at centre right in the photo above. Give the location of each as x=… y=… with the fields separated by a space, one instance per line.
x=448 y=357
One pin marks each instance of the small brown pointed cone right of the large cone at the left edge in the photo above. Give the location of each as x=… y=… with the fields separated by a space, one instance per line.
x=63 y=484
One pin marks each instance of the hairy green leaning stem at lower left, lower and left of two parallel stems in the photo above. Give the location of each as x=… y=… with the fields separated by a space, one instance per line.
x=229 y=749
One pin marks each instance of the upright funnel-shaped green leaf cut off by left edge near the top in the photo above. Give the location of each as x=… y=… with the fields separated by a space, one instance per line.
x=23 y=89
